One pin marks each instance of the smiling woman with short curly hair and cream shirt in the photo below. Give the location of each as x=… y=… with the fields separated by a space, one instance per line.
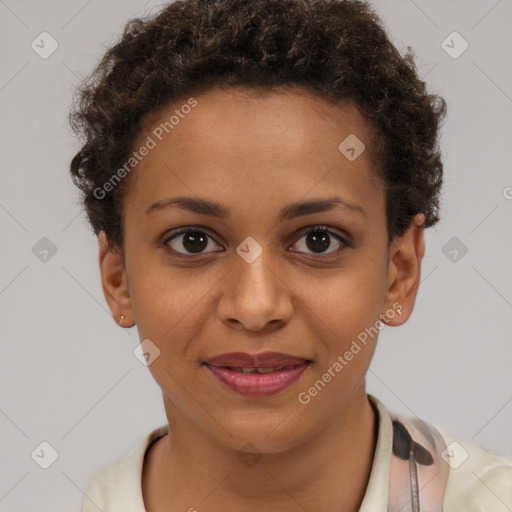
x=260 y=175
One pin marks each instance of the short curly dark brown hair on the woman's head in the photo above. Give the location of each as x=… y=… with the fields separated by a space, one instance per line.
x=337 y=49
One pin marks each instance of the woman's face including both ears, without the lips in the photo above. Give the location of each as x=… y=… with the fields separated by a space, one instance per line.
x=260 y=271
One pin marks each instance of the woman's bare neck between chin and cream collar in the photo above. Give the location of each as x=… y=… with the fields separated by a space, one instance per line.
x=330 y=471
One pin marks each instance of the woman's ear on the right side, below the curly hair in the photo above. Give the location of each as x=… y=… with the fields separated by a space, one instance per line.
x=404 y=271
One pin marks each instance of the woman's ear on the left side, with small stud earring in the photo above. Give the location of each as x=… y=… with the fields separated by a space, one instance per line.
x=114 y=282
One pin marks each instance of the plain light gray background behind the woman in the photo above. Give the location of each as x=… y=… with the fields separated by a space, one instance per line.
x=68 y=374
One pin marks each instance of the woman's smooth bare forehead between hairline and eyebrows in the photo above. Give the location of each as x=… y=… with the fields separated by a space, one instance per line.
x=237 y=145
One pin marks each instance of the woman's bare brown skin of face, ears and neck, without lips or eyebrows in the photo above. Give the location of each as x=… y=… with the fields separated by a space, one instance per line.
x=254 y=155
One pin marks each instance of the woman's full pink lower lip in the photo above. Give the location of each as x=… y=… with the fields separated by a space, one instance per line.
x=254 y=385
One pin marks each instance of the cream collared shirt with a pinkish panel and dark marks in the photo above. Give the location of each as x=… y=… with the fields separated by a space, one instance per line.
x=416 y=468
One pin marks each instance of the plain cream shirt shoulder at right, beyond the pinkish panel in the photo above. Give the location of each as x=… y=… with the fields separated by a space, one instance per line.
x=479 y=479
